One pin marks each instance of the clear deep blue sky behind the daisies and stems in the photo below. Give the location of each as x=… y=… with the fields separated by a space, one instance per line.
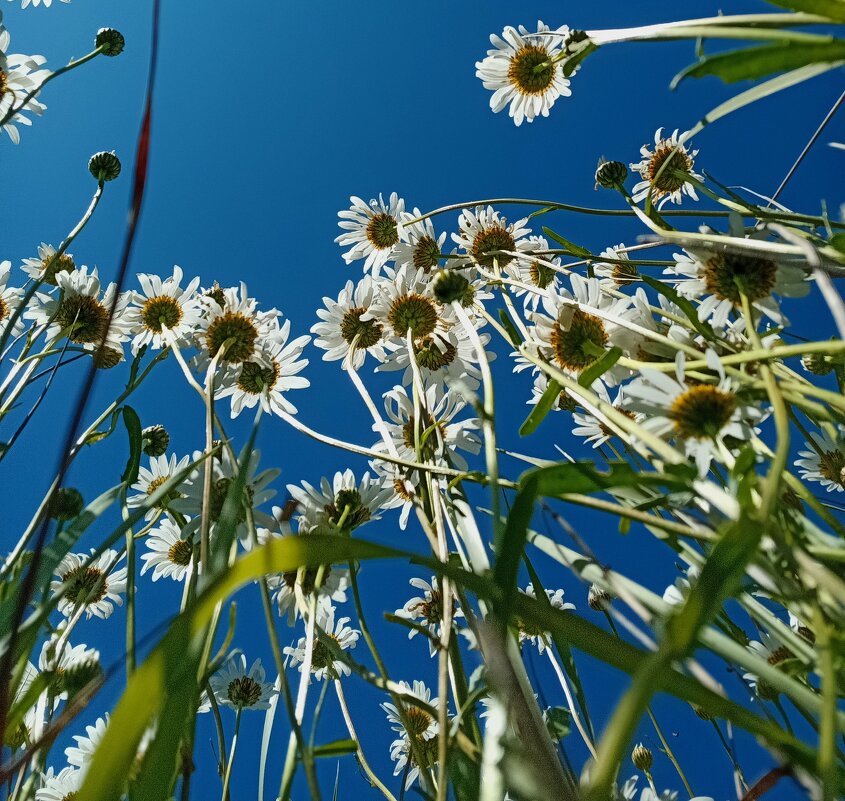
x=267 y=117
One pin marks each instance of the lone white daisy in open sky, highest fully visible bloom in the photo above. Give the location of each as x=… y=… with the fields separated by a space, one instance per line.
x=524 y=71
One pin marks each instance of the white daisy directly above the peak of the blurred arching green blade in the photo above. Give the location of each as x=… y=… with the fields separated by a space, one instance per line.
x=320 y=510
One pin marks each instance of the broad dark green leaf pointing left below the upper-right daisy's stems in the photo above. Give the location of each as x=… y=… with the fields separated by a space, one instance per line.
x=752 y=63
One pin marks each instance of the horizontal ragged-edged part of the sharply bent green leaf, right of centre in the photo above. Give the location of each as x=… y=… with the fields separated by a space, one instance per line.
x=583 y=477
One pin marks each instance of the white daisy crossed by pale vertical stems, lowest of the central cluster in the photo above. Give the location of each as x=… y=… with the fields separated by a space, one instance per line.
x=441 y=436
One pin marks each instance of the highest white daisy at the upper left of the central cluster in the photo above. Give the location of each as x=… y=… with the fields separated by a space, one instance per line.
x=372 y=231
